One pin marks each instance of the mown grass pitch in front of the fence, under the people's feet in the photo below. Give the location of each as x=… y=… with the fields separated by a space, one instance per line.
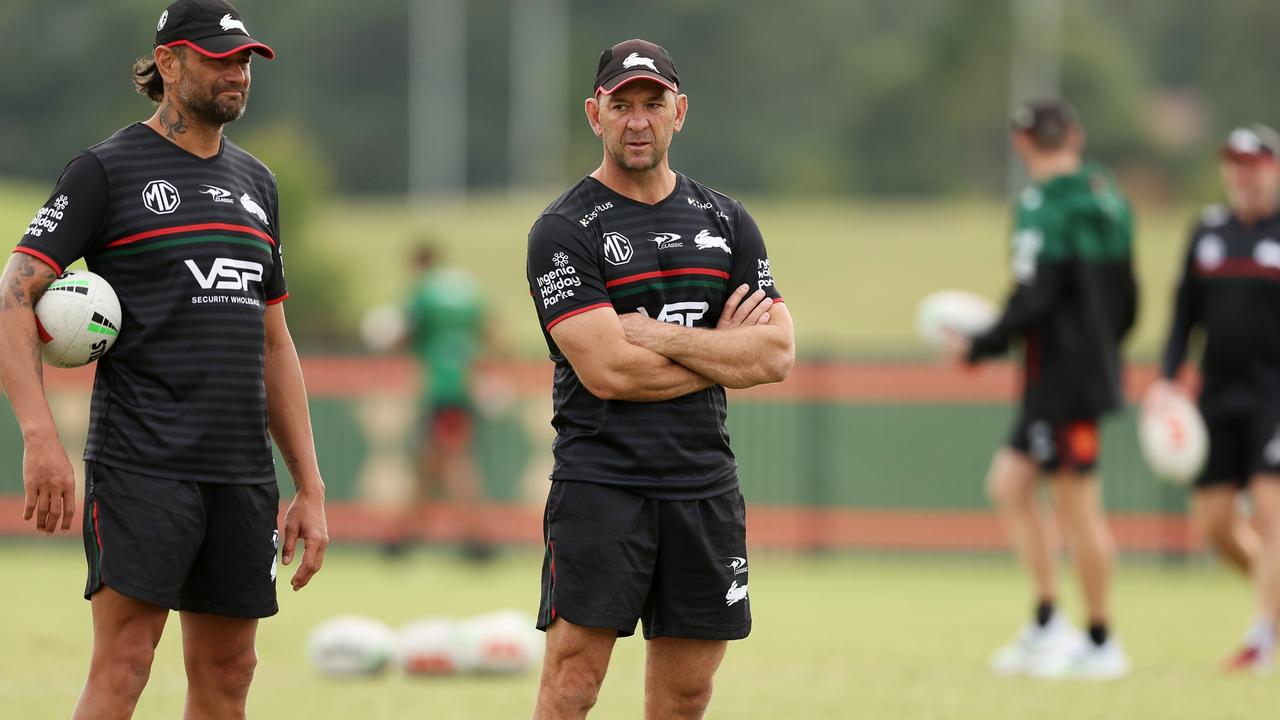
x=851 y=637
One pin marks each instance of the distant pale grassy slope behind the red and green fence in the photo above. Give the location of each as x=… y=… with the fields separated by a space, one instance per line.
x=852 y=272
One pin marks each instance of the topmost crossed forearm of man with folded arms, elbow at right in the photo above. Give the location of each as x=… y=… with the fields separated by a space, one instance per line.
x=737 y=358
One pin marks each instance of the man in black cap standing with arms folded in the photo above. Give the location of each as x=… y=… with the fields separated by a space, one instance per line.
x=655 y=294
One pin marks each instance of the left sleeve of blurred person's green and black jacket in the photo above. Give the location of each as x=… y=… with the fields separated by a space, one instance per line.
x=1041 y=267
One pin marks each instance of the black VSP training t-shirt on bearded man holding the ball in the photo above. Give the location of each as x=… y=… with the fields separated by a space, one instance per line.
x=191 y=248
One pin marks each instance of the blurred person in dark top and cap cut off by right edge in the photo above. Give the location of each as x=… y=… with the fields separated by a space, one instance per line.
x=1231 y=290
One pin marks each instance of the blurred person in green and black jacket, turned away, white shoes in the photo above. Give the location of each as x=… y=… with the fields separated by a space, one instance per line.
x=1075 y=302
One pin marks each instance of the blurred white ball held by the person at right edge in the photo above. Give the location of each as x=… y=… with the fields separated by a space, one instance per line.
x=1173 y=436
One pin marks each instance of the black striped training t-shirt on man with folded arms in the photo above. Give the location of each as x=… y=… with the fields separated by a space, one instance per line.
x=676 y=262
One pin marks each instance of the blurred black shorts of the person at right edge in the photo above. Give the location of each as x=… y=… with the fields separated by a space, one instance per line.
x=1240 y=448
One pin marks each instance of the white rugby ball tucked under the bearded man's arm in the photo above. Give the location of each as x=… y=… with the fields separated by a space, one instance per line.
x=79 y=320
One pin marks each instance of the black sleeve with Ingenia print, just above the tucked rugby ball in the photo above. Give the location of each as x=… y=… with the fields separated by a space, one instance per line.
x=71 y=224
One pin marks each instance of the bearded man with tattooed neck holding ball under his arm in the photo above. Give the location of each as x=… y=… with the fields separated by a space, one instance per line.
x=181 y=491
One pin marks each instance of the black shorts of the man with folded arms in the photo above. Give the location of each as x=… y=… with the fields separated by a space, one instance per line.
x=615 y=558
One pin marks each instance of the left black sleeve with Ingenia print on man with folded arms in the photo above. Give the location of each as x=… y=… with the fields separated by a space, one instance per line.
x=564 y=270
